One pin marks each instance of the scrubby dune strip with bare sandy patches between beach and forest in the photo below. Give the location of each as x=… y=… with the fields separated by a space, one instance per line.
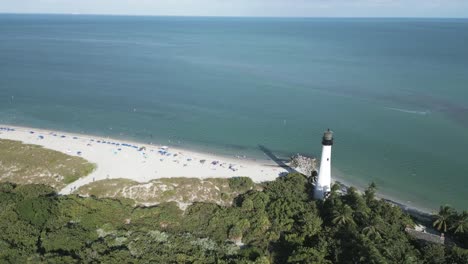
x=184 y=191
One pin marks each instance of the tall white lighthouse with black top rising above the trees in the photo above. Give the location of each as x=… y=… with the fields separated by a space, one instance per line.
x=323 y=184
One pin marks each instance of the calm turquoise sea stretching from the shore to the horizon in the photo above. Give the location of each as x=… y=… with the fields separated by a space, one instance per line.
x=395 y=91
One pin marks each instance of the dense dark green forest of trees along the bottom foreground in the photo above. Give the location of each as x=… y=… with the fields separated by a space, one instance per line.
x=278 y=224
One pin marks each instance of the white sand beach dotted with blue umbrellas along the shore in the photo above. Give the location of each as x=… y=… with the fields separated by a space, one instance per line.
x=140 y=162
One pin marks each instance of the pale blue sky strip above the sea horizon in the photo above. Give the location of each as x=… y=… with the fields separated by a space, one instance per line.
x=286 y=8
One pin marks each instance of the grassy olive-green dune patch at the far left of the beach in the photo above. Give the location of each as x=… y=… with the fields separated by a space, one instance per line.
x=22 y=163
